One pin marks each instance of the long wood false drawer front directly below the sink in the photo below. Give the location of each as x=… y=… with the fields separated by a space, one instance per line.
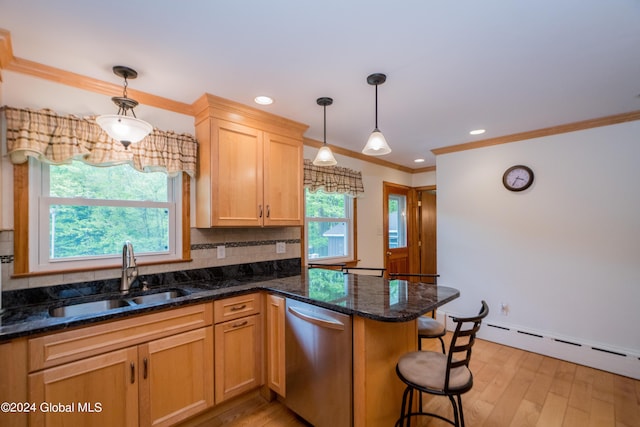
x=63 y=347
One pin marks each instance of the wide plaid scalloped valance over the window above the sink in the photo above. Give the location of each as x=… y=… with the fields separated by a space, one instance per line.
x=57 y=139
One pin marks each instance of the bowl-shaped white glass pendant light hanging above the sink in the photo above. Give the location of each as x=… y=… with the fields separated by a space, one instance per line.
x=121 y=127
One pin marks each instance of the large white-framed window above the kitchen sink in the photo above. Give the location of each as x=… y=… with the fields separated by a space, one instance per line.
x=83 y=214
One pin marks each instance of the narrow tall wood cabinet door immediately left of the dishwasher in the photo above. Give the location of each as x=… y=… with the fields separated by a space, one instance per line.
x=275 y=344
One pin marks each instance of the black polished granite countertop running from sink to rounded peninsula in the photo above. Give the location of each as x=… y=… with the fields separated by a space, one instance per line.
x=366 y=296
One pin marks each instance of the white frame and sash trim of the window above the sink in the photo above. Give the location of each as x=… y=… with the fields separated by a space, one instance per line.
x=39 y=202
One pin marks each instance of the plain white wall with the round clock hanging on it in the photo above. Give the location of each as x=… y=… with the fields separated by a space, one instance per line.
x=564 y=254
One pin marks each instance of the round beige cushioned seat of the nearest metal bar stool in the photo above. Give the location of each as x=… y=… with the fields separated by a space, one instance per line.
x=428 y=369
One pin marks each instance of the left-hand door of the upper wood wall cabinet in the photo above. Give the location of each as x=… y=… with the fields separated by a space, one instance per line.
x=236 y=165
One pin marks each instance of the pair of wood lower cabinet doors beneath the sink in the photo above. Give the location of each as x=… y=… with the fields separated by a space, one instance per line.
x=154 y=384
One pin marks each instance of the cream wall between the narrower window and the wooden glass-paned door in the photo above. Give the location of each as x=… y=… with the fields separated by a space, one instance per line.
x=370 y=239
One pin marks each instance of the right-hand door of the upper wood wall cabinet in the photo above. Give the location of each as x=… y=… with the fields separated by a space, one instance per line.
x=283 y=180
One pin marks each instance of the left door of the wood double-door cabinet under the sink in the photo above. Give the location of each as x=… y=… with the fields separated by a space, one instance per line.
x=97 y=391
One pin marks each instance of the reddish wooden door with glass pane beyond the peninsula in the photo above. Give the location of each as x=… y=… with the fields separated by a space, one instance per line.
x=397 y=218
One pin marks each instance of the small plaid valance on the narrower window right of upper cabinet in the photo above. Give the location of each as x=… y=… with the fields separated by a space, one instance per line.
x=332 y=179
